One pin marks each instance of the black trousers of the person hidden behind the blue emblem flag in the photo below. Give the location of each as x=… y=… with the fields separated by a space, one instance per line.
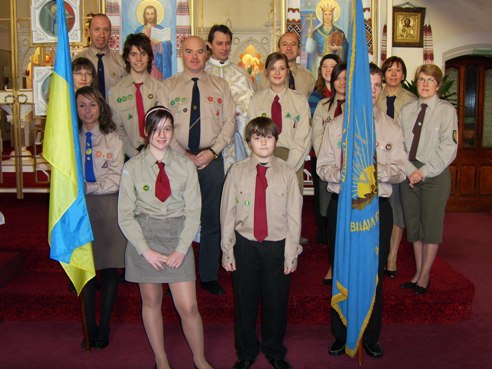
x=373 y=329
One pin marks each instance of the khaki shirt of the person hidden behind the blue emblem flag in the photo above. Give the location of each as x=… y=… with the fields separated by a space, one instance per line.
x=390 y=153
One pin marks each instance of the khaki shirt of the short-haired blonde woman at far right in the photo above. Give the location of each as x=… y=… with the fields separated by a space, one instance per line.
x=438 y=142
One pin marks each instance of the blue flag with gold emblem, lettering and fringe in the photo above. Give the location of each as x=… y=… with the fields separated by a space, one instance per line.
x=357 y=241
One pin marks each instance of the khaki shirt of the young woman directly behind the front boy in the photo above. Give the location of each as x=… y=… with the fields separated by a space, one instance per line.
x=296 y=131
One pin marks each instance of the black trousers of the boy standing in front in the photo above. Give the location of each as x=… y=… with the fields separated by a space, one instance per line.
x=259 y=276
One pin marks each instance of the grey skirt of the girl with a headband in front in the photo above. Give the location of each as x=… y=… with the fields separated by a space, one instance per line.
x=162 y=235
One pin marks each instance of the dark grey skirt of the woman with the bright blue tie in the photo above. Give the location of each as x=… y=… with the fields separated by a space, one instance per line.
x=109 y=242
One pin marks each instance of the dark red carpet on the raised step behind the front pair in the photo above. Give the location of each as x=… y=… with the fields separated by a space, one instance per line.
x=40 y=293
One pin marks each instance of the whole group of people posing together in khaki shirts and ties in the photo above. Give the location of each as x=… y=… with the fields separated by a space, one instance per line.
x=209 y=154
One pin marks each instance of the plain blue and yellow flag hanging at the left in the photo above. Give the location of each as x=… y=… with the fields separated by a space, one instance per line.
x=70 y=232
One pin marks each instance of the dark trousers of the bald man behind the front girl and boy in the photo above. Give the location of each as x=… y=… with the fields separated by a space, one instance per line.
x=211 y=181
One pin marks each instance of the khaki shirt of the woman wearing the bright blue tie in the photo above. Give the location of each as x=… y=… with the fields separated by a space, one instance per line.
x=107 y=157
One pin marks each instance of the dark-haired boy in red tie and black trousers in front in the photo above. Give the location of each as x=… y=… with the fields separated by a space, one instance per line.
x=261 y=223
